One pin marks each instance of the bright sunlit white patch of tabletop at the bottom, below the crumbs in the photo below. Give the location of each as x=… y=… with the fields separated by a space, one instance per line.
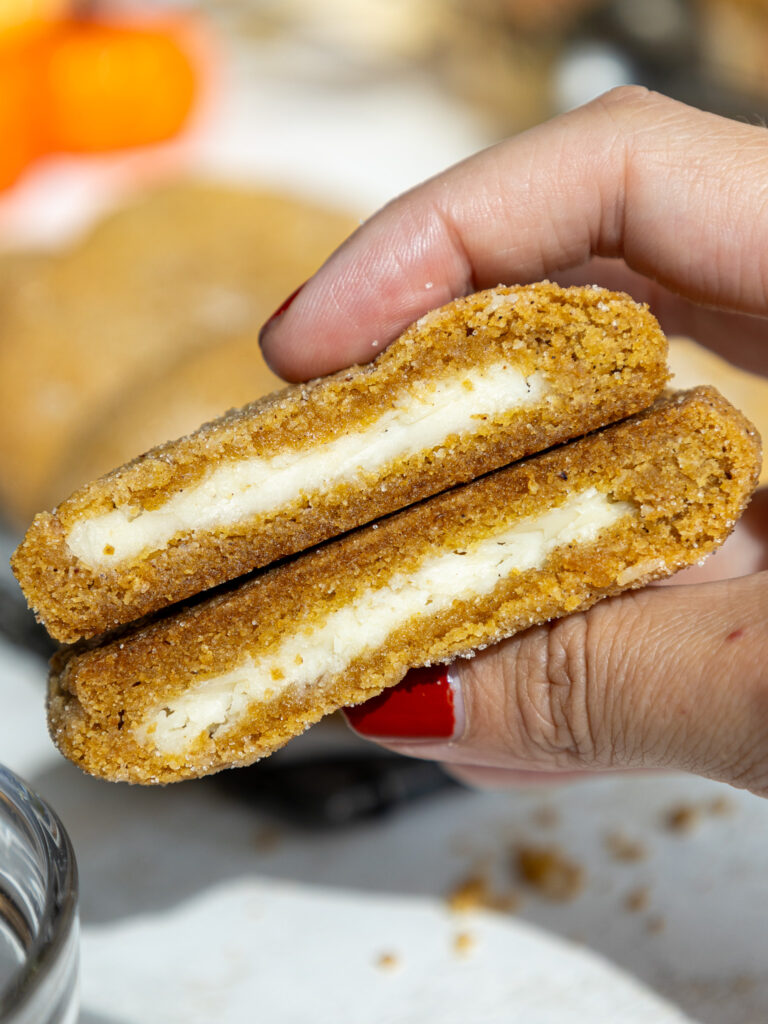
x=304 y=955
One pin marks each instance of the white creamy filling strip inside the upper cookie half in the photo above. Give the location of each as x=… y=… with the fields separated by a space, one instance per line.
x=237 y=491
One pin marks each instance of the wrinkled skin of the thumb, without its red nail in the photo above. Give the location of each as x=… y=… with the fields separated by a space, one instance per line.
x=647 y=678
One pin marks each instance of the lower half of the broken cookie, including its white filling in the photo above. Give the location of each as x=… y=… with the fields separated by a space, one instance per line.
x=234 y=677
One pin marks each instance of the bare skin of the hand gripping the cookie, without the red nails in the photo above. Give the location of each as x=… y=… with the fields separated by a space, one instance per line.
x=639 y=193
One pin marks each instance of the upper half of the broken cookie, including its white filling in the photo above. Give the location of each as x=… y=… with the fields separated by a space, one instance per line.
x=473 y=387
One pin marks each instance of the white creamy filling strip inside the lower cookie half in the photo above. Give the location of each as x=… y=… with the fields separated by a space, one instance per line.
x=327 y=649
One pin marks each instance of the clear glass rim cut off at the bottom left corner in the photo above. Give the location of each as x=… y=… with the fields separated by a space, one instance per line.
x=39 y=932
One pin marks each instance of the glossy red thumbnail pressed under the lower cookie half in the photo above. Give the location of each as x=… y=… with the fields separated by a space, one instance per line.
x=426 y=706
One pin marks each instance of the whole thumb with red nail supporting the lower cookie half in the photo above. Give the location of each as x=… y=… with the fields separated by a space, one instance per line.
x=659 y=678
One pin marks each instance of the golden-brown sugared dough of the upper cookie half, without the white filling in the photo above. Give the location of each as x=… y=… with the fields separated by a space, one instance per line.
x=602 y=355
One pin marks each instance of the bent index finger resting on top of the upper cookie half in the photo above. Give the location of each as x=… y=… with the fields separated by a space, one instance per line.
x=681 y=195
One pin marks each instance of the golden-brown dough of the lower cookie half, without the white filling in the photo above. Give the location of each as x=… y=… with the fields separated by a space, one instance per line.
x=688 y=467
